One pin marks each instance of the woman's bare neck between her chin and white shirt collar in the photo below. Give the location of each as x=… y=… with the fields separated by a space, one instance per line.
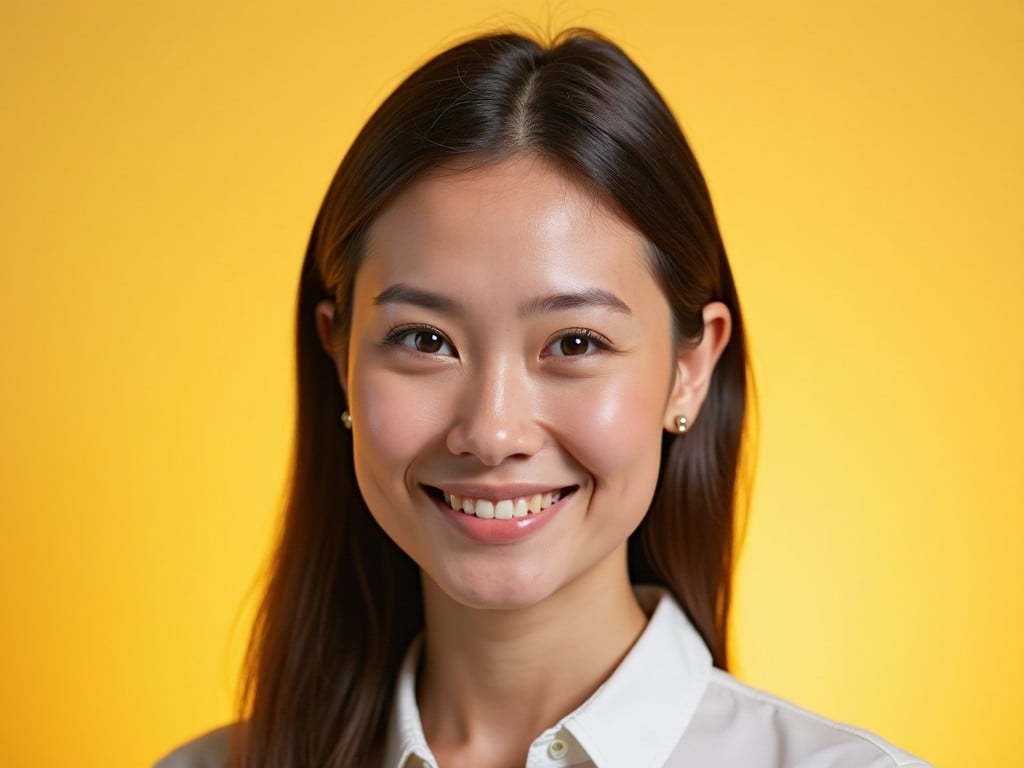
x=493 y=680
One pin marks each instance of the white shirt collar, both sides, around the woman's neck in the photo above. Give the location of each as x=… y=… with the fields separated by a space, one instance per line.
x=636 y=717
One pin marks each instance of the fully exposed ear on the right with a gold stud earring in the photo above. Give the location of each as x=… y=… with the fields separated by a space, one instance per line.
x=696 y=365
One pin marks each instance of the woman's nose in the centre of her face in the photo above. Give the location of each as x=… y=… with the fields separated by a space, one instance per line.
x=496 y=418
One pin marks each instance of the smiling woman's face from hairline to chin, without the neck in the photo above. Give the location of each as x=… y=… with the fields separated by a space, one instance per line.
x=511 y=356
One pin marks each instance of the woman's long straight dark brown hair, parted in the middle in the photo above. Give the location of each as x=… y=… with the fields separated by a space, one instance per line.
x=344 y=602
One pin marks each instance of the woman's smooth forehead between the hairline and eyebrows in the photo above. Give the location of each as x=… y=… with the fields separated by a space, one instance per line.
x=521 y=227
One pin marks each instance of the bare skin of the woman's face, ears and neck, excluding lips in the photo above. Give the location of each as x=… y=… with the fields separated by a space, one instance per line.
x=486 y=388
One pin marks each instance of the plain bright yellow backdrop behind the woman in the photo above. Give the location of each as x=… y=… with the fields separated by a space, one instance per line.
x=161 y=166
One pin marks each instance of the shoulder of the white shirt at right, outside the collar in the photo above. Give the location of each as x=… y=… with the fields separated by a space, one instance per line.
x=766 y=731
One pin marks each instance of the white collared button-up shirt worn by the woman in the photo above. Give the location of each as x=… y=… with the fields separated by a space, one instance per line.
x=667 y=707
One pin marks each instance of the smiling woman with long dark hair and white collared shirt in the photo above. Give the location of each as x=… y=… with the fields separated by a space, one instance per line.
x=523 y=389
